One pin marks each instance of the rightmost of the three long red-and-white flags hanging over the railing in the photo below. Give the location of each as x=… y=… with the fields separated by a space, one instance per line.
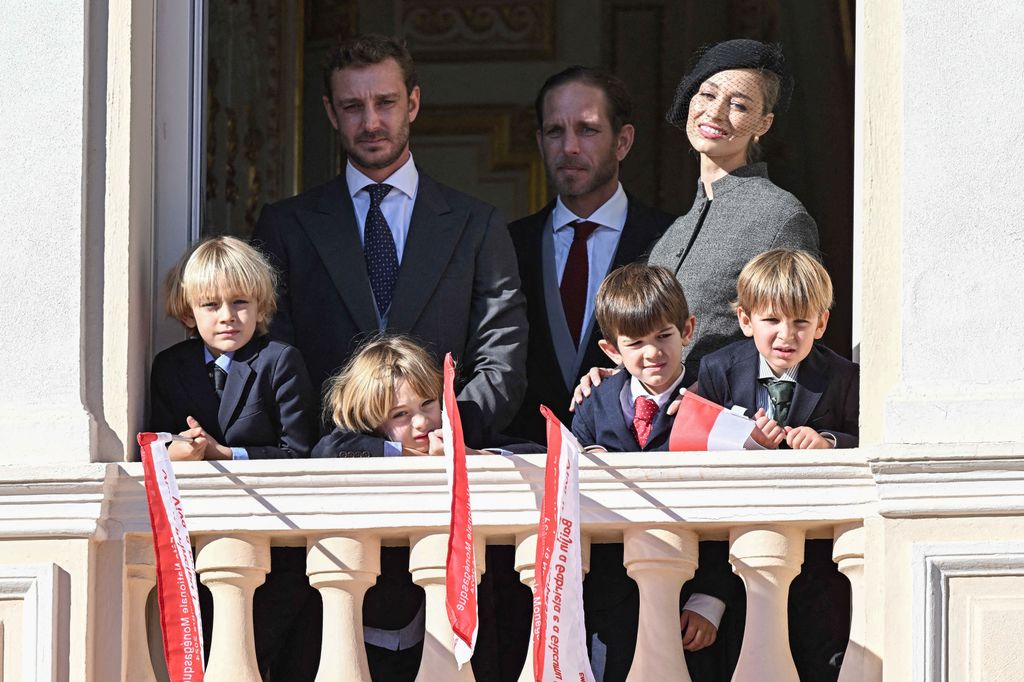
x=560 y=634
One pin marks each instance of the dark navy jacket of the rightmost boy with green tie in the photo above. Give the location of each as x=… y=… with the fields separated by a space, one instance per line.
x=827 y=397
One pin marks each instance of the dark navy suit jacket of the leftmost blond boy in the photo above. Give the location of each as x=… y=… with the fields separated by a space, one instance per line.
x=269 y=406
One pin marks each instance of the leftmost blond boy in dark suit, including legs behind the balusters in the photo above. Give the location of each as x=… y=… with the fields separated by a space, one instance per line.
x=238 y=396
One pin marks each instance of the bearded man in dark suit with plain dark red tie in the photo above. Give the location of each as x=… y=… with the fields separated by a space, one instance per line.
x=567 y=249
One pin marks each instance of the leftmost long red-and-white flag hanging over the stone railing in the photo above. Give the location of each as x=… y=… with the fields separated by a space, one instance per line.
x=177 y=595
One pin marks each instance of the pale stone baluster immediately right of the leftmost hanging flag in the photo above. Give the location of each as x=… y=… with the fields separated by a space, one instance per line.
x=233 y=567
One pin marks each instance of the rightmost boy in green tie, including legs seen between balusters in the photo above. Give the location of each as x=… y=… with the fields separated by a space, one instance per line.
x=803 y=396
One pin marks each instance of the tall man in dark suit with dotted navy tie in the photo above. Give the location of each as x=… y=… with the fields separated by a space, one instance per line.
x=386 y=248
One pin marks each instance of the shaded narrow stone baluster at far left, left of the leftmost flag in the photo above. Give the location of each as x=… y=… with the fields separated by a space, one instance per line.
x=141 y=578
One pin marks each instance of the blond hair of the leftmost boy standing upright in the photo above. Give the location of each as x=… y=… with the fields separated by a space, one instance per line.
x=222 y=263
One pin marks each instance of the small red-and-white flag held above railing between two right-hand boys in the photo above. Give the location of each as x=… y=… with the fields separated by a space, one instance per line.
x=703 y=425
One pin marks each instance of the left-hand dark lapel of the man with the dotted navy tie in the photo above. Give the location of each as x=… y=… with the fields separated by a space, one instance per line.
x=333 y=231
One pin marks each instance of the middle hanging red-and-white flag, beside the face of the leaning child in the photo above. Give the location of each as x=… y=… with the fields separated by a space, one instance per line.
x=460 y=576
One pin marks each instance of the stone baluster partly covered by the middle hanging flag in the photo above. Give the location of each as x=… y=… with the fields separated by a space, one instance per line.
x=428 y=558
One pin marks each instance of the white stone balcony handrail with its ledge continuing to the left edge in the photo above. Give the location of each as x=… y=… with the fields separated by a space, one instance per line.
x=394 y=497
